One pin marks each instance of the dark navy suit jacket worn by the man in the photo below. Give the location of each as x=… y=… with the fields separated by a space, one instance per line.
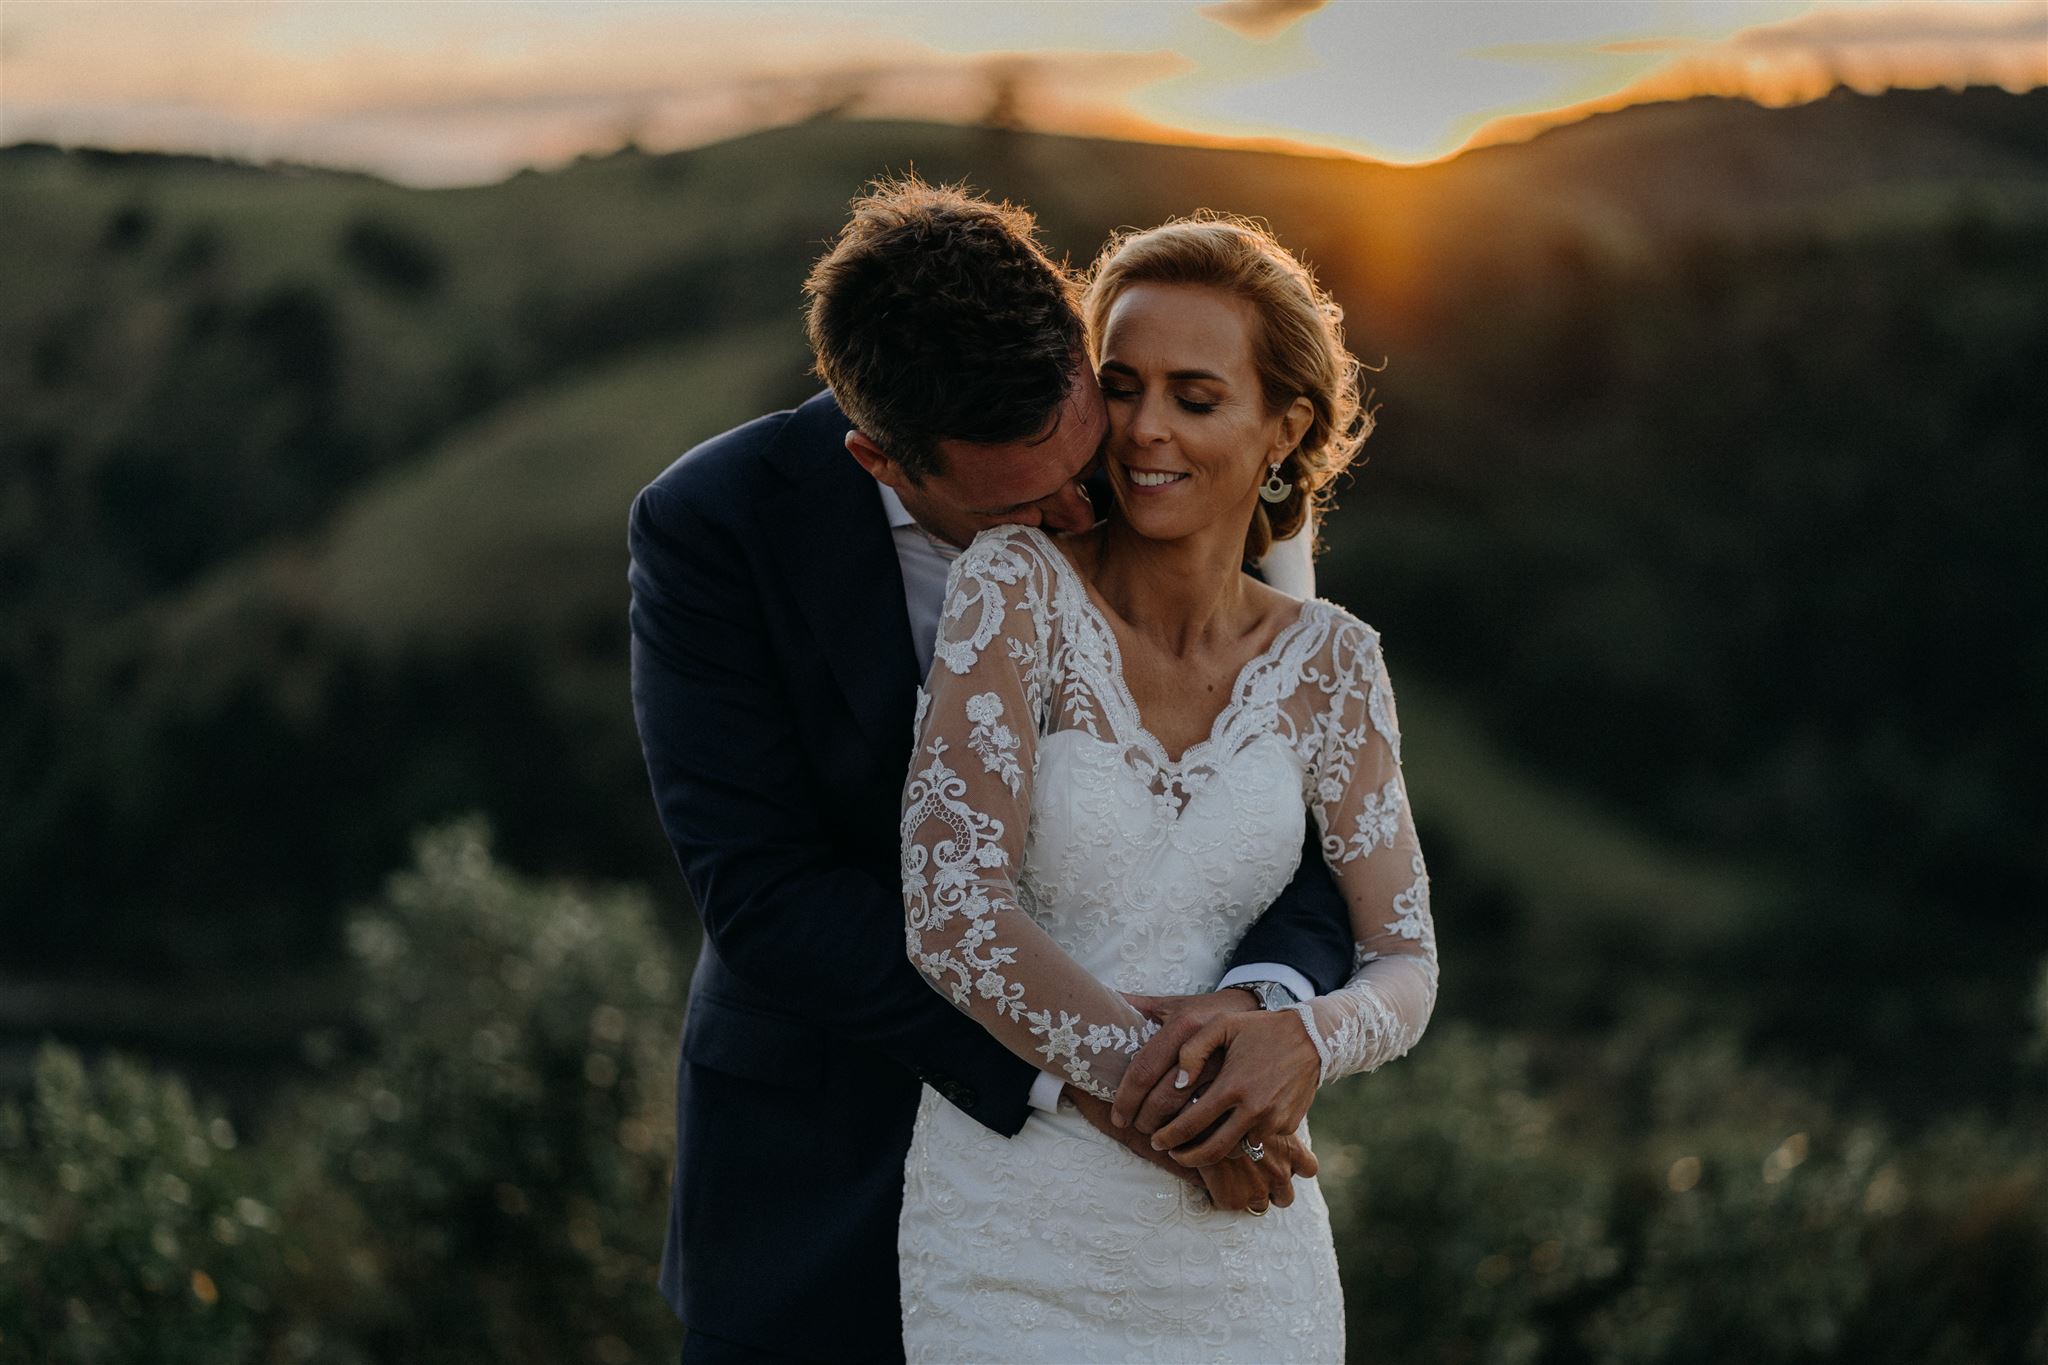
x=775 y=685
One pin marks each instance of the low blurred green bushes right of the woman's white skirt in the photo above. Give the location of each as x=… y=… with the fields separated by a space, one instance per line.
x=1670 y=1204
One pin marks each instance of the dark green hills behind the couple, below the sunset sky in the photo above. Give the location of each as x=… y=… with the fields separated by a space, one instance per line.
x=1705 y=486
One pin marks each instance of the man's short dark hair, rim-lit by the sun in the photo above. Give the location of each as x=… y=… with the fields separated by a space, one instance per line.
x=937 y=316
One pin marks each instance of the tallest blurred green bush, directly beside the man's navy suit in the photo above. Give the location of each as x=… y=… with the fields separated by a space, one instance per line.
x=507 y=1129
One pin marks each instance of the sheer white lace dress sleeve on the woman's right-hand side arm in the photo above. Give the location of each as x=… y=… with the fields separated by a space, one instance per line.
x=1369 y=840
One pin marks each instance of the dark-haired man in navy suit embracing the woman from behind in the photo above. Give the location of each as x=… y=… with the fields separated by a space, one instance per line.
x=787 y=582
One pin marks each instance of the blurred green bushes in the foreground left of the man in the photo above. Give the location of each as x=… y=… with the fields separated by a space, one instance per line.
x=478 y=1176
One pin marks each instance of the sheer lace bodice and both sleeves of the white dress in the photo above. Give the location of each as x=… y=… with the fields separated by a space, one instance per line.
x=994 y=912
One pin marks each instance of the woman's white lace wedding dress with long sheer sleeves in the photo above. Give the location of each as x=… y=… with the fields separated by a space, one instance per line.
x=1056 y=856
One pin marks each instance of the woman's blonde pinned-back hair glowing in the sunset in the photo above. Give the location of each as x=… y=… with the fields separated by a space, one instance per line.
x=1299 y=347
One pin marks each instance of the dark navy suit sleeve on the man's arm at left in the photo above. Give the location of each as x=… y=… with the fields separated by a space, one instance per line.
x=753 y=824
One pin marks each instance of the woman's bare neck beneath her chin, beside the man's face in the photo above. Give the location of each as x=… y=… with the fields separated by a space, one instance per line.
x=1177 y=592
